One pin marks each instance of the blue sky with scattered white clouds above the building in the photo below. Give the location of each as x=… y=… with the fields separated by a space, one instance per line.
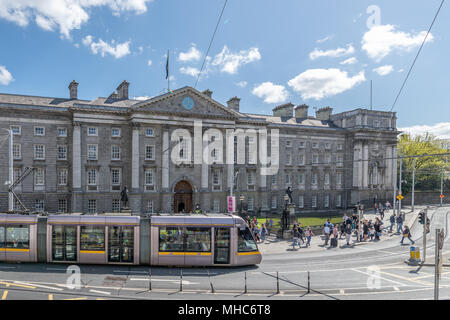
x=321 y=53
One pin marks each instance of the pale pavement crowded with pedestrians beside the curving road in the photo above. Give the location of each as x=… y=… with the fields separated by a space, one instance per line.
x=273 y=245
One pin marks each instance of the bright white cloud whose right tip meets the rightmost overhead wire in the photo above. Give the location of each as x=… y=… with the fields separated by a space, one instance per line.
x=381 y=40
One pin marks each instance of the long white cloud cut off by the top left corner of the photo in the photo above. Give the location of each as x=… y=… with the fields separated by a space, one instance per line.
x=65 y=15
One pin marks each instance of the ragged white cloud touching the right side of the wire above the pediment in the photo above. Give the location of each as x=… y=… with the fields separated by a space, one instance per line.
x=230 y=62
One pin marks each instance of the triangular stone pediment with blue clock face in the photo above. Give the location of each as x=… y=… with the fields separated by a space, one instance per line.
x=187 y=102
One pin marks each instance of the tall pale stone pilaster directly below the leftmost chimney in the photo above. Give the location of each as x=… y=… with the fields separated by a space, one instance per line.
x=77 y=199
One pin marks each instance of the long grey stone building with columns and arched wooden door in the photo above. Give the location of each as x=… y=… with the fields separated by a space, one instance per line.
x=81 y=154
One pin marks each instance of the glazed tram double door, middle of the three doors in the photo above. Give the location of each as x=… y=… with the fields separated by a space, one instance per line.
x=121 y=244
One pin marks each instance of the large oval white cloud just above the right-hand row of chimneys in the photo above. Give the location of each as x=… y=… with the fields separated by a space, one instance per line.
x=322 y=83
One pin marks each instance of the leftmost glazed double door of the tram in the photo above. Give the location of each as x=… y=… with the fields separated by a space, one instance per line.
x=64 y=243
